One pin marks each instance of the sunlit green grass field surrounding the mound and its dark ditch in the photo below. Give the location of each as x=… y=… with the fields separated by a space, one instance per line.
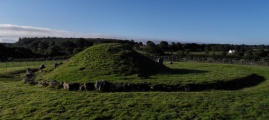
x=19 y=101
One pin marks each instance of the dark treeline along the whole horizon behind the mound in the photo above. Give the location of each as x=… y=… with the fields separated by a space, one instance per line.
x=50 y=48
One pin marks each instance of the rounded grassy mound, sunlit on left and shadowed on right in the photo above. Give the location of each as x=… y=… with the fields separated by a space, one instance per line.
x=105 y=60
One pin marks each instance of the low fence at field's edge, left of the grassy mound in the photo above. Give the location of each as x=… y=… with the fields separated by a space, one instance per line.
x=27 y=63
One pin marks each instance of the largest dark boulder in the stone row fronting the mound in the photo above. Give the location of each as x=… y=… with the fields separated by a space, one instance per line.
x=104 y=86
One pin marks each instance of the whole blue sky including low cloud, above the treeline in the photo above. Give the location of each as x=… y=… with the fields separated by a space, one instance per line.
x=199 y=21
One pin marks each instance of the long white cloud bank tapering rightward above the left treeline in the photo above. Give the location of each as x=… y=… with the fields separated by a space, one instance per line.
x=10 y=33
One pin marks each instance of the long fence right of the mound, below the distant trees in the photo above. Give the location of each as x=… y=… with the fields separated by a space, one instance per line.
x=211 y=60
